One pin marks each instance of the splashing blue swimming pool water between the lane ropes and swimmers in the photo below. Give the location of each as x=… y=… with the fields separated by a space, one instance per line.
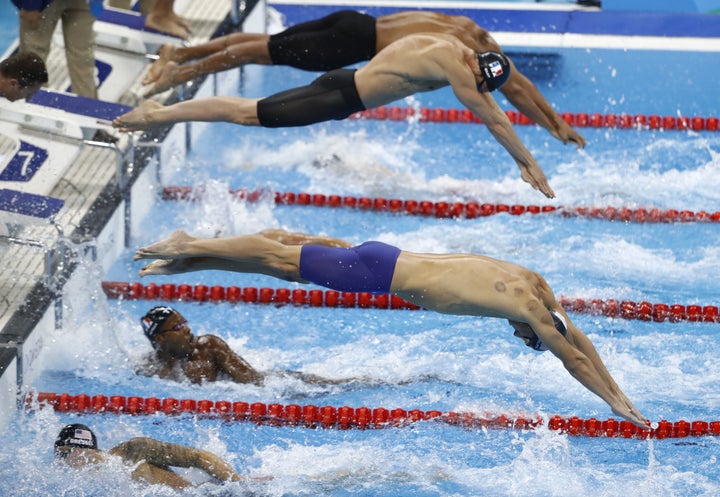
x=417 y=359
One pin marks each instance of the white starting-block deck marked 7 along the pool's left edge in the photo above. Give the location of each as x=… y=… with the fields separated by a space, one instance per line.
x=73 y=205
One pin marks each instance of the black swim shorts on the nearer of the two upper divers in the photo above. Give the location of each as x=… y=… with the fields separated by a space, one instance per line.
x=331 y=96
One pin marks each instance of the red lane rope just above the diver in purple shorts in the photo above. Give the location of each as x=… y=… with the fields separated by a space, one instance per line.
x=441 y=209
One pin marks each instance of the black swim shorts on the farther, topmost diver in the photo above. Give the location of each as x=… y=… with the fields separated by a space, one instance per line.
x=338 y=40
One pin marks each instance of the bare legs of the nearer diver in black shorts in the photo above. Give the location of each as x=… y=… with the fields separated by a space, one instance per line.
x=151 y=114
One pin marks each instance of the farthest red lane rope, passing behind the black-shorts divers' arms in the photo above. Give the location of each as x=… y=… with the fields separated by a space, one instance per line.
x=580 y=119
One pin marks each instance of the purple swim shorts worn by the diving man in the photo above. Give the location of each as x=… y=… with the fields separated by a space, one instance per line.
x=365 y=268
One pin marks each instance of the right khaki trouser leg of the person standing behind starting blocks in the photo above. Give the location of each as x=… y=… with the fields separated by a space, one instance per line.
x=77 y=22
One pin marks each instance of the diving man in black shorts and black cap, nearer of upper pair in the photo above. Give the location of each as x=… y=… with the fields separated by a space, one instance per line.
x=414 y=64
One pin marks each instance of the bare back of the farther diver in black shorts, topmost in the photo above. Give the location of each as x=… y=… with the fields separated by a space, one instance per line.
x=392 y=27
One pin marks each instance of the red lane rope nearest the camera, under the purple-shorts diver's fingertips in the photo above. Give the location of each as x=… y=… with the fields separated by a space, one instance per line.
x=346 y=417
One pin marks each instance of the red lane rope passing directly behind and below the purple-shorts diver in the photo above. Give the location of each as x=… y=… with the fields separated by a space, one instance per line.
x=625 y=309
